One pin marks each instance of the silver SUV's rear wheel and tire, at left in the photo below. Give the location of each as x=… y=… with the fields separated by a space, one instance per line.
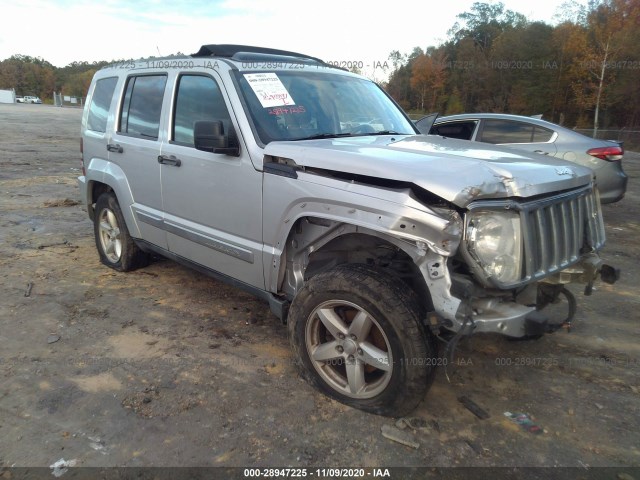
x=115 y=246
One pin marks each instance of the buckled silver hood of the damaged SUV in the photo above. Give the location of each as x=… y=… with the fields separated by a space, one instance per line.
x=455 y=170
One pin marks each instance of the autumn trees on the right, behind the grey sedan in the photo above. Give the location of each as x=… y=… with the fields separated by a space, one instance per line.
x=584 y=71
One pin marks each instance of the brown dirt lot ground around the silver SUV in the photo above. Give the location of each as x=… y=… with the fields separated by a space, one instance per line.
x=166 y=367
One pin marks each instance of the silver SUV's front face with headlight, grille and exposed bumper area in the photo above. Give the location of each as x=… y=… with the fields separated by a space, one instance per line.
x=516 y=257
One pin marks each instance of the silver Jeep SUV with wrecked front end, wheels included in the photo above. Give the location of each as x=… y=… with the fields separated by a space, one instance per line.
x=309 y=187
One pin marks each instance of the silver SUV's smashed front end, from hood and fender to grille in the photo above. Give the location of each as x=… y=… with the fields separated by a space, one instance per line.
x=493 y=235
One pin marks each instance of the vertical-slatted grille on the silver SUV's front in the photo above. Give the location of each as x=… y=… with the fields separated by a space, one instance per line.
x=559 y=230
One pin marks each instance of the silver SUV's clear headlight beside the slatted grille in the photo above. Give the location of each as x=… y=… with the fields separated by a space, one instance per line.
x=494 y=240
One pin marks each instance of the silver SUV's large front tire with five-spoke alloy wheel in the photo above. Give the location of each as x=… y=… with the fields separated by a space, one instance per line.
x=358 y=338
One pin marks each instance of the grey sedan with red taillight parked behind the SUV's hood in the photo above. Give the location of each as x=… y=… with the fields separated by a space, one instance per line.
x=604 y=157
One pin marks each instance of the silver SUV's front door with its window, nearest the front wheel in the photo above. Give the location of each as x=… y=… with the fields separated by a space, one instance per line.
x=212 y=202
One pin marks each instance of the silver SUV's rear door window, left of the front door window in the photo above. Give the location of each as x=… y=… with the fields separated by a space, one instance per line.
x=142 y=106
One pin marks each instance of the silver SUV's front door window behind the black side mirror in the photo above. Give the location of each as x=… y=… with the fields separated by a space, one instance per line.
x=198 y=98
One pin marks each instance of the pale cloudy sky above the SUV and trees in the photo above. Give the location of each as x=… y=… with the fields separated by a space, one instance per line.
x=63 y=31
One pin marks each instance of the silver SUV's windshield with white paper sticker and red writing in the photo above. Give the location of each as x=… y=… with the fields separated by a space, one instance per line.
x=306 y=105
